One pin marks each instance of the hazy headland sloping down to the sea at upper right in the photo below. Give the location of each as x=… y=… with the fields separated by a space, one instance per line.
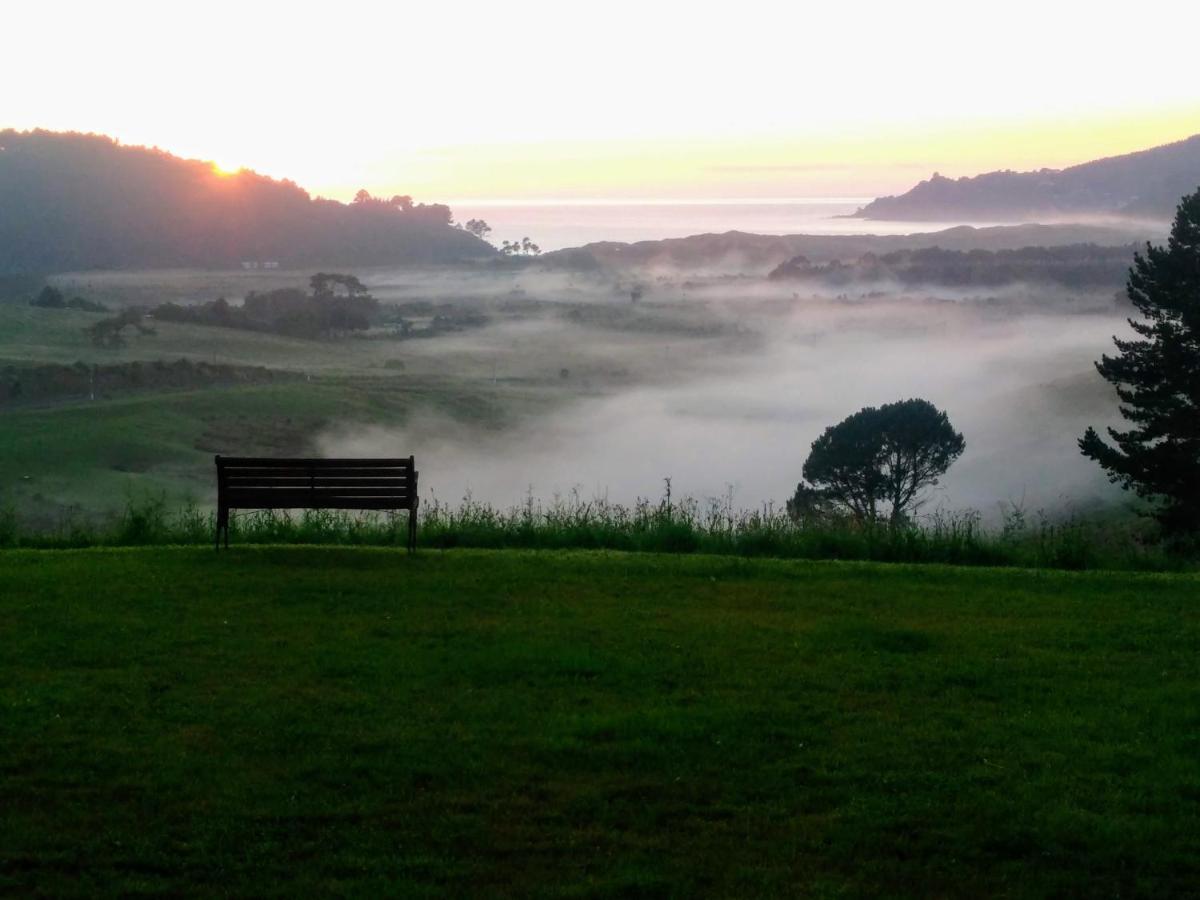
x=1148 y=184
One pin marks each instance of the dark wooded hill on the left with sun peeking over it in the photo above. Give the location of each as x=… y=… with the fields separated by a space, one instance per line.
x=73 y=201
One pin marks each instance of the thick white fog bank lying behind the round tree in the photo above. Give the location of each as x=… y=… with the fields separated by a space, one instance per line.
x=724 y=389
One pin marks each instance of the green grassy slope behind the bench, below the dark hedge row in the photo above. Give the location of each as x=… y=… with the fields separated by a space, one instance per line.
x=97 y=455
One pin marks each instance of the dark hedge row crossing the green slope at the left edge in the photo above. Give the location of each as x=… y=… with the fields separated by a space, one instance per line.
x=45 y=383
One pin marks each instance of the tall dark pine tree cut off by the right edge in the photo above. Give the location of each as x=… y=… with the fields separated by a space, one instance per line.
x=1159 y=380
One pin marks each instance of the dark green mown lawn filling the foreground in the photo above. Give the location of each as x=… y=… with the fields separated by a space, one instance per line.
x=292 y=722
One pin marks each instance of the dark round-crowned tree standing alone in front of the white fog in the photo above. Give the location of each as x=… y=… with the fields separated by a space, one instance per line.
x=880 y=459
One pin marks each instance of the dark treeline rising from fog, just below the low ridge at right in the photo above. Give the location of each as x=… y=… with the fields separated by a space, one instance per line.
x=1078 y=267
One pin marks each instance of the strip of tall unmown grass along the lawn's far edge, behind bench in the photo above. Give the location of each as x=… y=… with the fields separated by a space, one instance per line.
x=665 y=527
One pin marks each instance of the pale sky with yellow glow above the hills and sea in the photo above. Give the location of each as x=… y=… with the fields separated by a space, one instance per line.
x=556 y=101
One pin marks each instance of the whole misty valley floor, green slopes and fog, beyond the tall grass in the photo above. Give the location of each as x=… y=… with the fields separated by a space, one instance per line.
x=589 y=375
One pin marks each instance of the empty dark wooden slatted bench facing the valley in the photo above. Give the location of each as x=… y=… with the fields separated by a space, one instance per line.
x=257 y=483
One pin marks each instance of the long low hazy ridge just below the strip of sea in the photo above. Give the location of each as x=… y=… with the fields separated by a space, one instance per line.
x=742 y=254
